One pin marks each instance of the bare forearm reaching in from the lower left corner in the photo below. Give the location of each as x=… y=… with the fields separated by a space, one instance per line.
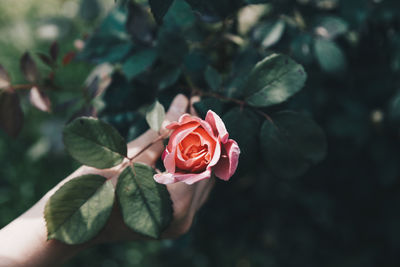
x=23 y=242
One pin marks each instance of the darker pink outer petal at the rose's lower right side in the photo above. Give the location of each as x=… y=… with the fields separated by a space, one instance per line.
x=229 y=160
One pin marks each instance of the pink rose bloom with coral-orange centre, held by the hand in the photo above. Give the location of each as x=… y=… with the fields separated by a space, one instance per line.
x=196 y=148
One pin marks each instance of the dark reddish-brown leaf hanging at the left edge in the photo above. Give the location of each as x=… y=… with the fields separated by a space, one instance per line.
x=11 y=115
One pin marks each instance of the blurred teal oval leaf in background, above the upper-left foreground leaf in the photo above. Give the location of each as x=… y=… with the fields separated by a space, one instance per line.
x=139 y=62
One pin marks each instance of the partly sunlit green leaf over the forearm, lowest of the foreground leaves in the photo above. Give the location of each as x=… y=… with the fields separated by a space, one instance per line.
x=79 y=209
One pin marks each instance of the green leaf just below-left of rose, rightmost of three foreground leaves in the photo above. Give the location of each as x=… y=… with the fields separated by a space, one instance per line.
x=146 y=206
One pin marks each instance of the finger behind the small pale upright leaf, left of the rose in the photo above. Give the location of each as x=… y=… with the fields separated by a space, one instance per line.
x=149 y=156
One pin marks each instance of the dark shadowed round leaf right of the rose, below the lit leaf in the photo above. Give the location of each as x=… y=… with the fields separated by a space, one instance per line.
x=291 y=143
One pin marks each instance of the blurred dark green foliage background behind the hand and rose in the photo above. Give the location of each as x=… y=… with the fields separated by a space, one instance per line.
x=342 y=212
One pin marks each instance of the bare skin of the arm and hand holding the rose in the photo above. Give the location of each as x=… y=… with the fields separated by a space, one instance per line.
x=23 y=242
